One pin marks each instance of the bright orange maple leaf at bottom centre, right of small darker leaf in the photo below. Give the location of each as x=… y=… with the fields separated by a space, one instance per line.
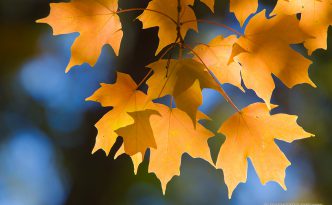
x=175 y=135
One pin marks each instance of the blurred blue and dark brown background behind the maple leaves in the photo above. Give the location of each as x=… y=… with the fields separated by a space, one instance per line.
x=47 y=129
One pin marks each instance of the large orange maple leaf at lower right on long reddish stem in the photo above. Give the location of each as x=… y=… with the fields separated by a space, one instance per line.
x=251 y=134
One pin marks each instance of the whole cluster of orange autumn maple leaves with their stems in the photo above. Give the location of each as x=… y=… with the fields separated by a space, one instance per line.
x=264 y=49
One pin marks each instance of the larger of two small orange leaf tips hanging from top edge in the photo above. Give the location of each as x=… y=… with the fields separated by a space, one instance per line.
x=243 y=9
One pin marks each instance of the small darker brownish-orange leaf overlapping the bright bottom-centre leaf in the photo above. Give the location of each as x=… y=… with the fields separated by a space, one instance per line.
x=138 y=137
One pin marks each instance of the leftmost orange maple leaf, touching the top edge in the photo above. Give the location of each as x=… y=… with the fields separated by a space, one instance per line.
x=95 y=20
